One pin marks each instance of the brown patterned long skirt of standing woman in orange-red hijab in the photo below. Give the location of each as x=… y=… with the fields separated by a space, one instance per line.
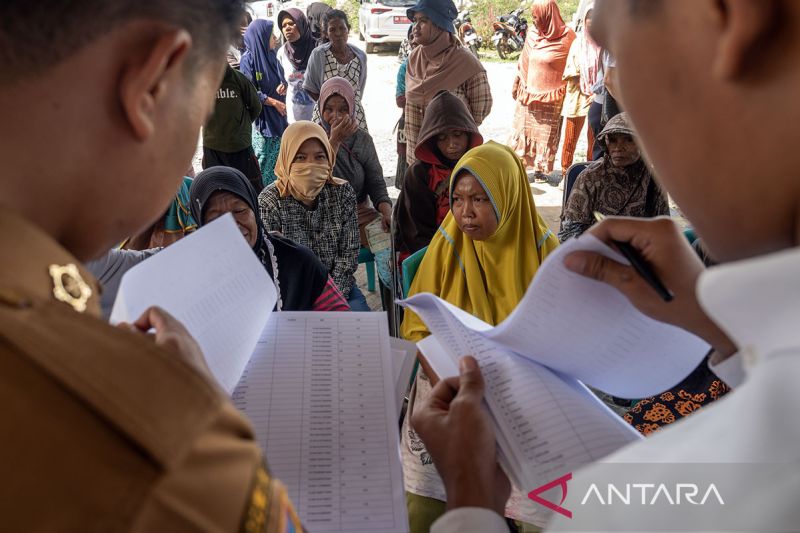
x=537 y=131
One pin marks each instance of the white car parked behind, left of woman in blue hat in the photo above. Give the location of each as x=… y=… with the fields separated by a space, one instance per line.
x=383 y=22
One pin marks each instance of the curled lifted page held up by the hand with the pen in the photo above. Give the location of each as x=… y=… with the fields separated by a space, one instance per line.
x=585 y=329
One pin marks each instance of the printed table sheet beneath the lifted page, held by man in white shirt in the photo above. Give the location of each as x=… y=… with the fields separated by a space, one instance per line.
x=546 y=424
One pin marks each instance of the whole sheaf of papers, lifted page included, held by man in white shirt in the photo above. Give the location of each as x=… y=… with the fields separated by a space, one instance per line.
x=567 y=330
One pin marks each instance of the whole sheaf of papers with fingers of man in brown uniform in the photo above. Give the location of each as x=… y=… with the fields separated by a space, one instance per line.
x=319 y=388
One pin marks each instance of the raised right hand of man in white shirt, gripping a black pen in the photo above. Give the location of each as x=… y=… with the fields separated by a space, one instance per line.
x=660 y=245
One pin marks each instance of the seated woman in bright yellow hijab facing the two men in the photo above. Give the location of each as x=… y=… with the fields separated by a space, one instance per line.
x=482 y=260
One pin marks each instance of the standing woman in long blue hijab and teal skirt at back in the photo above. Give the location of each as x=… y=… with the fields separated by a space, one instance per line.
x=260 y=65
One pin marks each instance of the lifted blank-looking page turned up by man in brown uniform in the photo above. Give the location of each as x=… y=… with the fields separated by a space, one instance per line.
x=213 y=283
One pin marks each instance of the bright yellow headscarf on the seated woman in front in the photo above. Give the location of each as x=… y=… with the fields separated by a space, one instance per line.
x=486 y=278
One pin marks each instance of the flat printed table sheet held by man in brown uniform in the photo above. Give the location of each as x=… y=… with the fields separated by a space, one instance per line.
x=320 y=393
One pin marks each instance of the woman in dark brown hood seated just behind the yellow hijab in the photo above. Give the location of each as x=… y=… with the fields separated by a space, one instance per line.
x=448 y=131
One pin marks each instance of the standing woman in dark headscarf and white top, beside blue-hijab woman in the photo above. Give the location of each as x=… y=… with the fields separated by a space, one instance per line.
x=293 y=57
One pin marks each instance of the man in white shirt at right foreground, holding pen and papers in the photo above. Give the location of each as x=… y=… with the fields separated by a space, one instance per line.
x=711 y=88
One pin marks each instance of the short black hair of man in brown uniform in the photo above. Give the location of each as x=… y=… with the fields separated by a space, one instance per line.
x=36 y=35
